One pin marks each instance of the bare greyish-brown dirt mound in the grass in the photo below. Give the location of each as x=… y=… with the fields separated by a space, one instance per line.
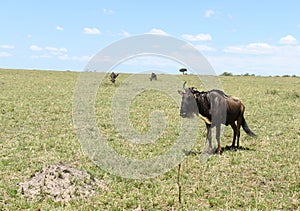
x=61 y=183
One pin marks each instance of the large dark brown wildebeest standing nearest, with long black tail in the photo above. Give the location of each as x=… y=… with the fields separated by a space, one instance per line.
x=215 y=108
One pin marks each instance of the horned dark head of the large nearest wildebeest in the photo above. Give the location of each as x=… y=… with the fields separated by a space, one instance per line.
x=188 y=103
